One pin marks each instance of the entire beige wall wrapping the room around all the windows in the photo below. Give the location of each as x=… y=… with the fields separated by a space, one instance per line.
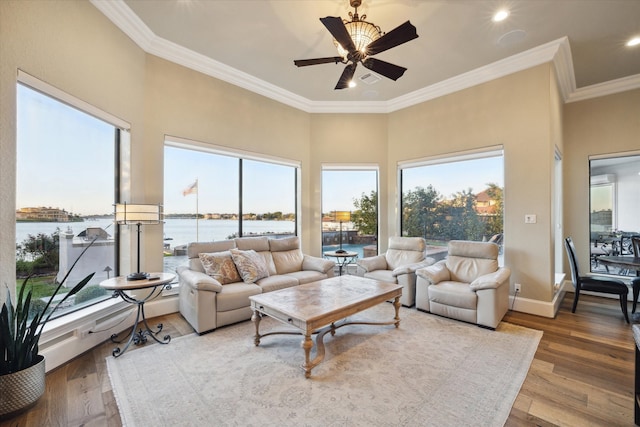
x=72 y=46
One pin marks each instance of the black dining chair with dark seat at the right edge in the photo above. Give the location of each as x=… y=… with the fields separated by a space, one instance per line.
x=593 y=284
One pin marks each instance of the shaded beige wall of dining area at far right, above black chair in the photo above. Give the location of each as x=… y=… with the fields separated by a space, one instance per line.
x=609 y=124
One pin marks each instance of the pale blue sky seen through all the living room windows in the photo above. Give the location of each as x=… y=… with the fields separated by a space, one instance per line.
x=47 y=131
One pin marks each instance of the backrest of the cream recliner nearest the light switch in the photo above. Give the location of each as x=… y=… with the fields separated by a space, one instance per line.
x=468 y=260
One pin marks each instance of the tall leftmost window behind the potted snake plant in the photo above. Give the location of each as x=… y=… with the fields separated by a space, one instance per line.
x=65 y=190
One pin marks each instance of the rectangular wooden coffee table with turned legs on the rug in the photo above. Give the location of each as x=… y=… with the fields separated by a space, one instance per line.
x=317 y=307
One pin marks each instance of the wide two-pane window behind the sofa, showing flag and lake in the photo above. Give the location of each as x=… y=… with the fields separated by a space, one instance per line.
x=212 y=193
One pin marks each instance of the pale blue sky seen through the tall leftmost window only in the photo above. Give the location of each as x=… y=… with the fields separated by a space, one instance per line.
x=45 y=130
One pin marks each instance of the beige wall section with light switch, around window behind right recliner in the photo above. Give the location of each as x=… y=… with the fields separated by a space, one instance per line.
x=514 y=112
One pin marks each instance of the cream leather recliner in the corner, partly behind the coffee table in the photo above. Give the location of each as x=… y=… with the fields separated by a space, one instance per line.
x=398 y=265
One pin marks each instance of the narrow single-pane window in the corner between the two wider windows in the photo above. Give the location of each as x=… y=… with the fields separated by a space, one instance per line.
x=350 y=209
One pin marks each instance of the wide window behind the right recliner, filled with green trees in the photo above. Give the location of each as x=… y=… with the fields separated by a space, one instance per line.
x=453 y=198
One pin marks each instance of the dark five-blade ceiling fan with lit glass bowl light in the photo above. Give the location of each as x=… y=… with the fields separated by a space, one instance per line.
x=357 y=41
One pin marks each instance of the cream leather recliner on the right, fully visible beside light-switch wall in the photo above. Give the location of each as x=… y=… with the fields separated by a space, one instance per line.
x=468 y=285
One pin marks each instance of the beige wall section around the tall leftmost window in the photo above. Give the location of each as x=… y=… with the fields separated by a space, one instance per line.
x=74 y=47
